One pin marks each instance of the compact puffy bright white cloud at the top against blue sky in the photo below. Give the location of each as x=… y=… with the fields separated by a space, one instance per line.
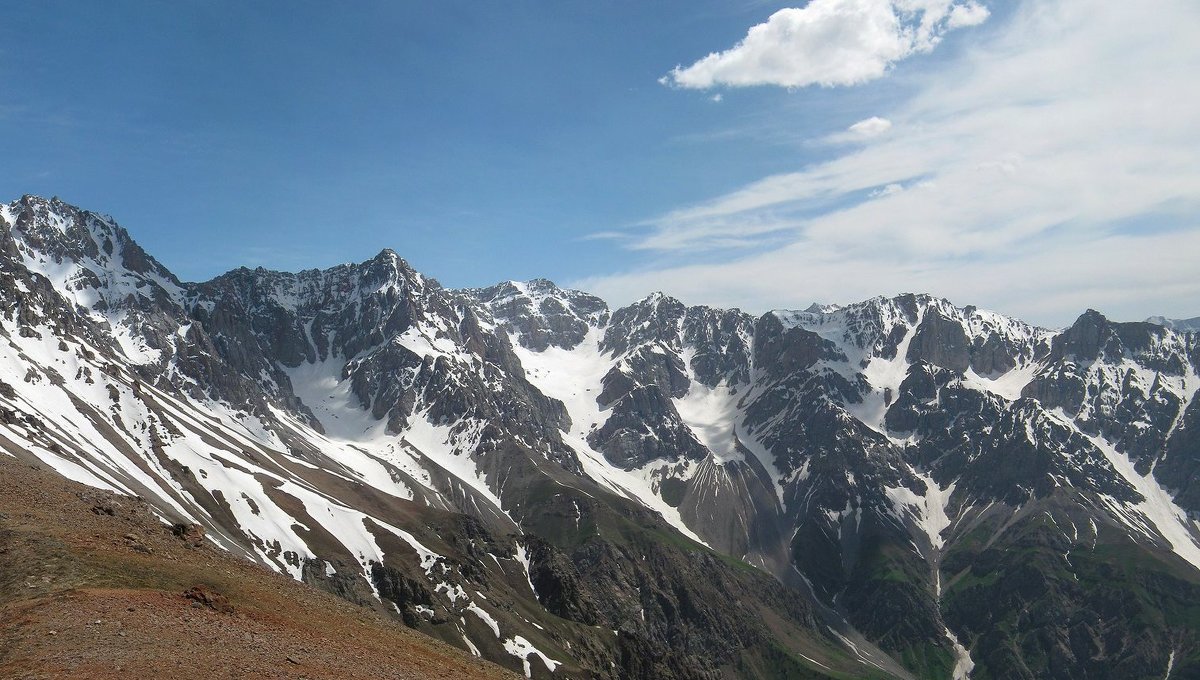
x=830 y=43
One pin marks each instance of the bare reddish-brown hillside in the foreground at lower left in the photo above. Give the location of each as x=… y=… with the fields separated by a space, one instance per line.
x=93 y=586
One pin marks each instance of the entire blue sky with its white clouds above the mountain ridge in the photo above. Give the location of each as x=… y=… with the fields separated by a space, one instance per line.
x=1036 y=158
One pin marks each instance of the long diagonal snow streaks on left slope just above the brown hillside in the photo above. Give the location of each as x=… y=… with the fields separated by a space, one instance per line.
x=223 y=450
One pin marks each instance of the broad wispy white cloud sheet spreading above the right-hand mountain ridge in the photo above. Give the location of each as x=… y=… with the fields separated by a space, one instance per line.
x=1052 y=170
